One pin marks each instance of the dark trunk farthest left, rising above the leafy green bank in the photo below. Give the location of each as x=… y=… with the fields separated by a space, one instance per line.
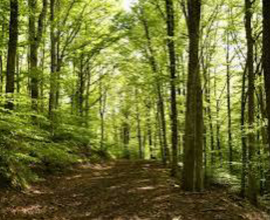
x=12 y=50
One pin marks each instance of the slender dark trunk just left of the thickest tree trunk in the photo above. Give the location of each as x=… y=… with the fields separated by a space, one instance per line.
x=173 y=78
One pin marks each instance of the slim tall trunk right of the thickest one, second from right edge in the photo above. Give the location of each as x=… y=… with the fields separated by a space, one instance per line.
x=252 y=189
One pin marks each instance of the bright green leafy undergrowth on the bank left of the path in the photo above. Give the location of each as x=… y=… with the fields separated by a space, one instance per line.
x=28 y=150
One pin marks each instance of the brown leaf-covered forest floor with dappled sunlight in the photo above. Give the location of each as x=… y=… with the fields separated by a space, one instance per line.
x=121 y=190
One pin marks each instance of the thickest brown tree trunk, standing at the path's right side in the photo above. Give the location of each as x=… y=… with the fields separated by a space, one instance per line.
x=193 y=144
